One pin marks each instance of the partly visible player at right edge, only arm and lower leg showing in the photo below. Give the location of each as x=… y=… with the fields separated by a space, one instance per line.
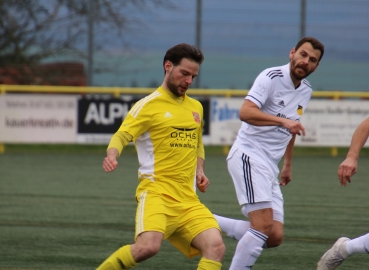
x=345 y=247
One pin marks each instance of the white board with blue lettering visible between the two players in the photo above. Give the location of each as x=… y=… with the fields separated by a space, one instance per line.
x=224 y=120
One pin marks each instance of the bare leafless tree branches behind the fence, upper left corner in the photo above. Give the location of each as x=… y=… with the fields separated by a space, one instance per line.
x=32 y=30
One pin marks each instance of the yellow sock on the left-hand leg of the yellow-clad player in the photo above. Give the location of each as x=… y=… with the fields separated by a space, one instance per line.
x=120 y=259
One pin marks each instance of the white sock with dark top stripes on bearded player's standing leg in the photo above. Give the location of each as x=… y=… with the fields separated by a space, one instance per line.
x=248 y=250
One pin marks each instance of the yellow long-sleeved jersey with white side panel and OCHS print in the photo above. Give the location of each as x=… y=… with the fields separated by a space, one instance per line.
x=167 y=133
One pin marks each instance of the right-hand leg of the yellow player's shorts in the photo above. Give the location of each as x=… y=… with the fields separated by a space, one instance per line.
x=195 y=219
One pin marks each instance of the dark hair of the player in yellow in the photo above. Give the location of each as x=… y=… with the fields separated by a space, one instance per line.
x=183 y=50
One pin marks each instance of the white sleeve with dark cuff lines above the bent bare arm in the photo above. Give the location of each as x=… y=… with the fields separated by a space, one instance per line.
x=260 y=90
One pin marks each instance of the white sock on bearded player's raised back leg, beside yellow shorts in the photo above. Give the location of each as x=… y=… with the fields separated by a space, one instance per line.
x=234 y=228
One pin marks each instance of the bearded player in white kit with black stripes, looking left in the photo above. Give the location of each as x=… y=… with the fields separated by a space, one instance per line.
x=270 y=118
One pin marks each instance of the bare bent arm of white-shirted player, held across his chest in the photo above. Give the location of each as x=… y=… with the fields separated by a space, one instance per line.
x=251 y=114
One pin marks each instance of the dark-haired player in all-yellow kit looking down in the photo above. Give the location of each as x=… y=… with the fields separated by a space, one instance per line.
x=166 y=127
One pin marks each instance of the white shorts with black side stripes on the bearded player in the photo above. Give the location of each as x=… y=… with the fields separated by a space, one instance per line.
x=254 y=182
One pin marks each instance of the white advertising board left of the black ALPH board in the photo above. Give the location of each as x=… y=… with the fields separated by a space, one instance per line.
x=28 y=118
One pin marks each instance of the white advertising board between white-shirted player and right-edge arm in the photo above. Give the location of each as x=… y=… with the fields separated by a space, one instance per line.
x=332 y=122
